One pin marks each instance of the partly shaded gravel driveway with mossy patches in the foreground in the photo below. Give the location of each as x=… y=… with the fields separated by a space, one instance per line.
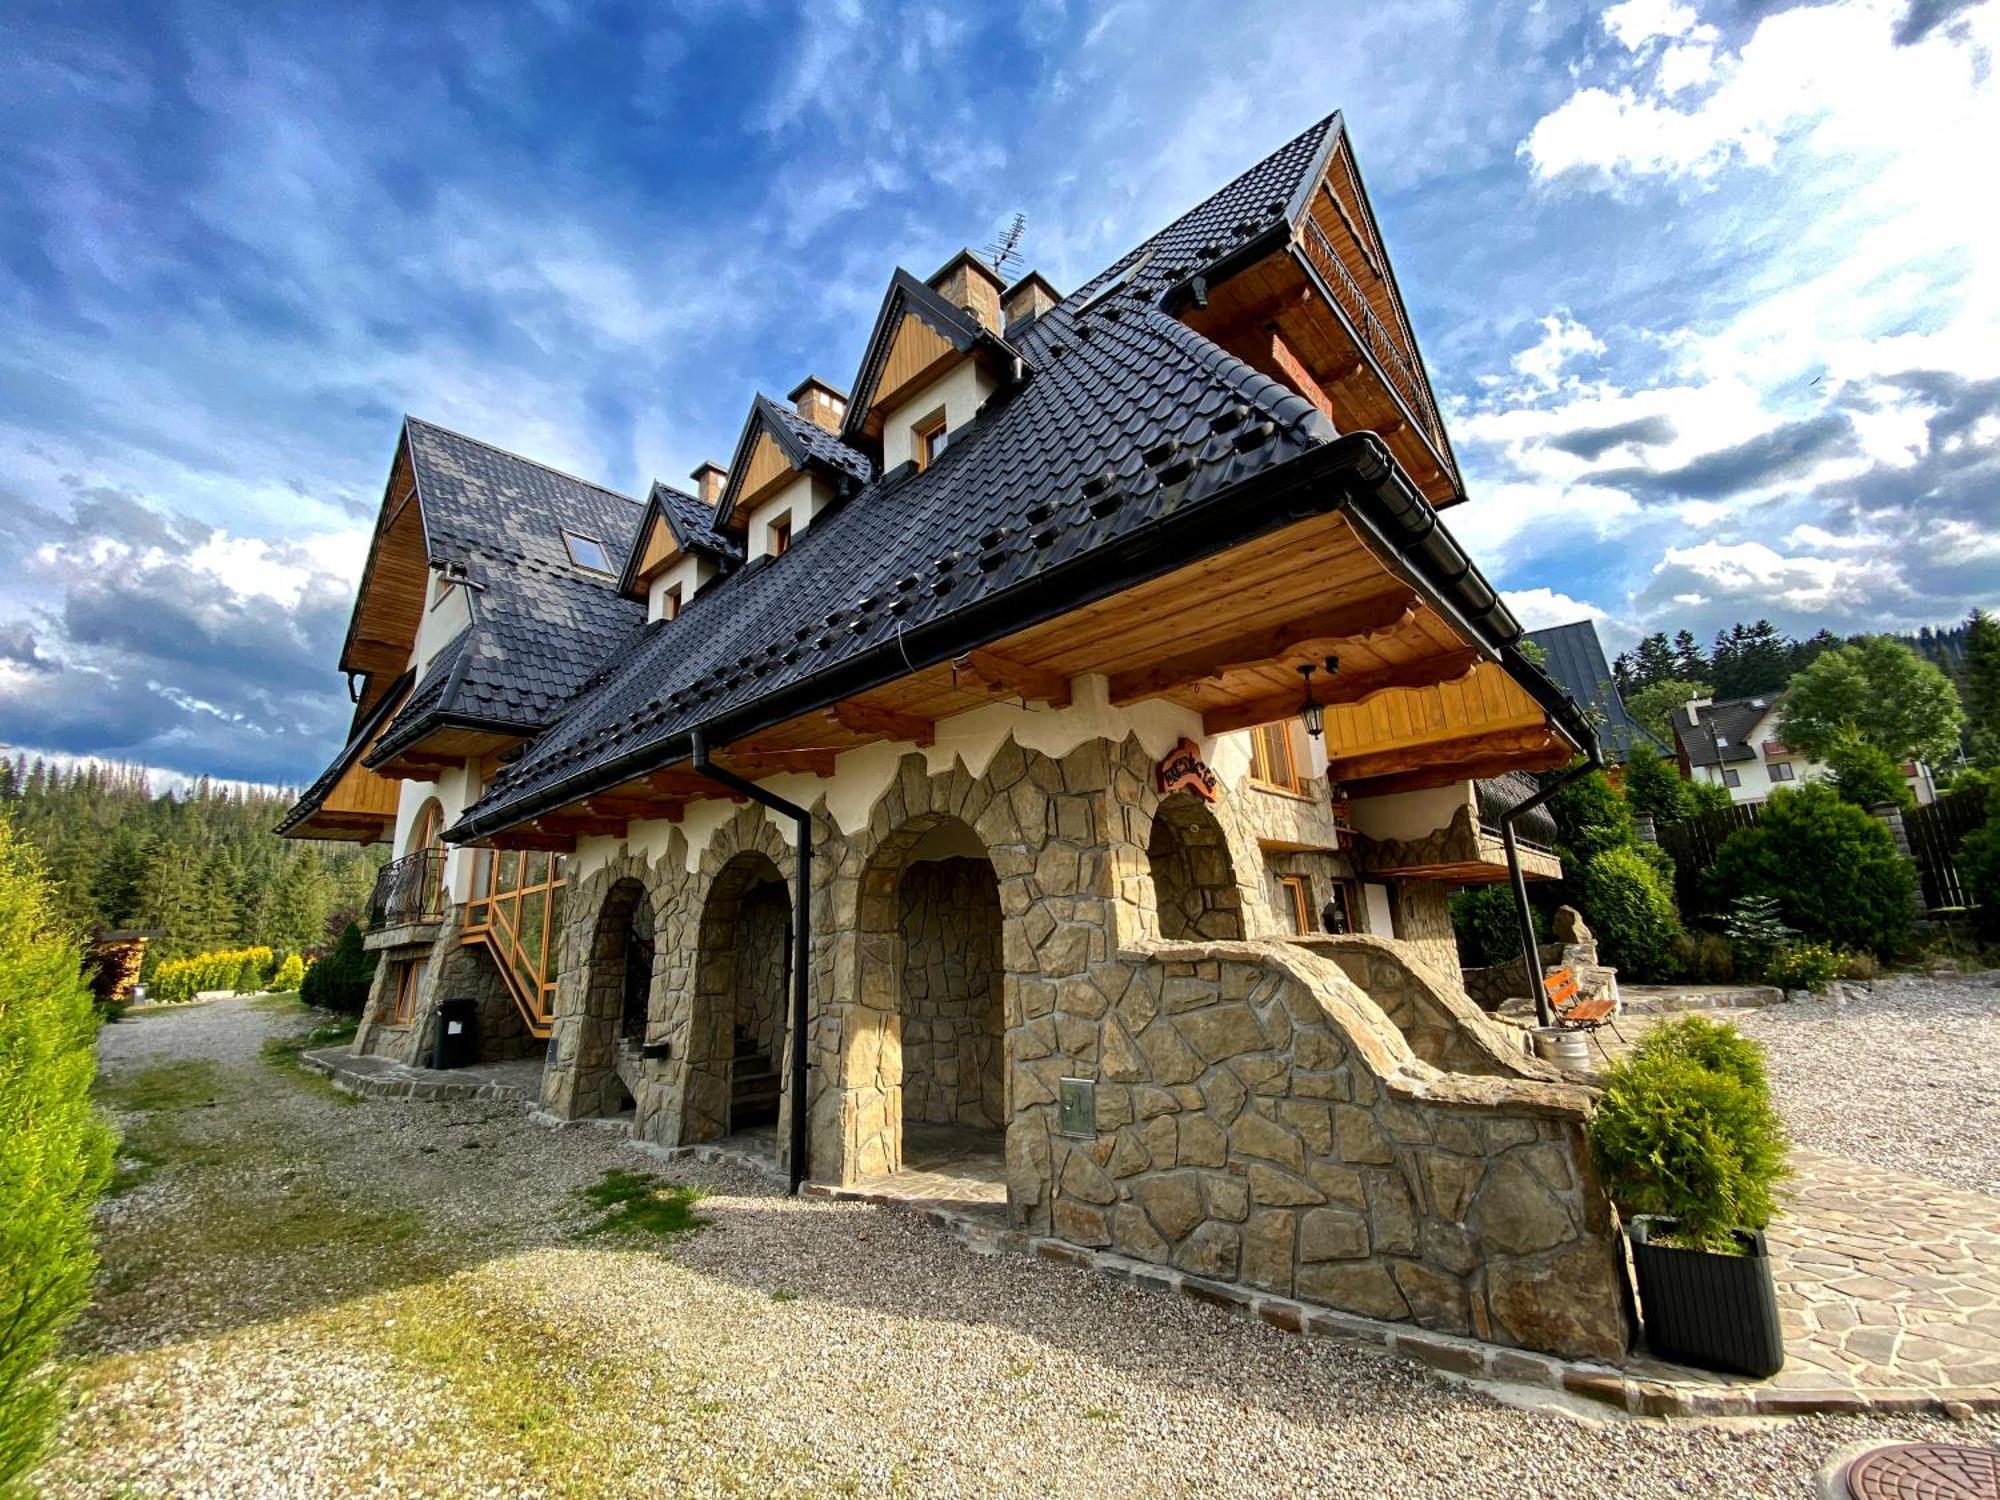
x=323 y=1299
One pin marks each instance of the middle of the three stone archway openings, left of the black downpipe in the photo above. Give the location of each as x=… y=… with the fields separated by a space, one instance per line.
x=743 y=983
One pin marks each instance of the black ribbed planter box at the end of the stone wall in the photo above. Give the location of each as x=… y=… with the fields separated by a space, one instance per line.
x=1717 y=1313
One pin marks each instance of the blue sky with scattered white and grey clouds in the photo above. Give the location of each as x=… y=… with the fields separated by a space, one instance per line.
x=1703 y=285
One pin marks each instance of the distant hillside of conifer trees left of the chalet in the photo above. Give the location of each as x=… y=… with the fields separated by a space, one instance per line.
x=201 y=869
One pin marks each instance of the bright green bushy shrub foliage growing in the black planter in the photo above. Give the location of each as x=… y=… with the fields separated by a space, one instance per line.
x=1687 y=1131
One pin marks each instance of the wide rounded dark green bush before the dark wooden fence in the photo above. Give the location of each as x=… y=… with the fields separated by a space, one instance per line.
x=1831 y=867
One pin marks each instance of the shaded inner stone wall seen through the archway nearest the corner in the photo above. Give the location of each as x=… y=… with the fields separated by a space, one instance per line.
x=953 y=1037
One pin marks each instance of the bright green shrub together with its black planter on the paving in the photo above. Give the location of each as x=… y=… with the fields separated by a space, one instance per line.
x=1691 y=1151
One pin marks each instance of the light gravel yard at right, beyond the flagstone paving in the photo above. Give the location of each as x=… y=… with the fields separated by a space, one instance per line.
x=1903 y=1075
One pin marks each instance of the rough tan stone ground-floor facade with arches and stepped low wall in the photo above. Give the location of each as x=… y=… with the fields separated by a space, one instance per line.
x=1325 y=1119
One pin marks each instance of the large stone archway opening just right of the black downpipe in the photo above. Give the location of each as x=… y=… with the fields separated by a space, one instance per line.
x=935 y=987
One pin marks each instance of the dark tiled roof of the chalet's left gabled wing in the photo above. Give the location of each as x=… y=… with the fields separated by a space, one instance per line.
x=541 y=625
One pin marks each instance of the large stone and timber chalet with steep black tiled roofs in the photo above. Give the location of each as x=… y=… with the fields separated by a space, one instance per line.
x=1055 y=747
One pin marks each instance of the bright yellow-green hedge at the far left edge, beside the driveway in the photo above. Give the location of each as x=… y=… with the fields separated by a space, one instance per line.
x=55 y=1155
